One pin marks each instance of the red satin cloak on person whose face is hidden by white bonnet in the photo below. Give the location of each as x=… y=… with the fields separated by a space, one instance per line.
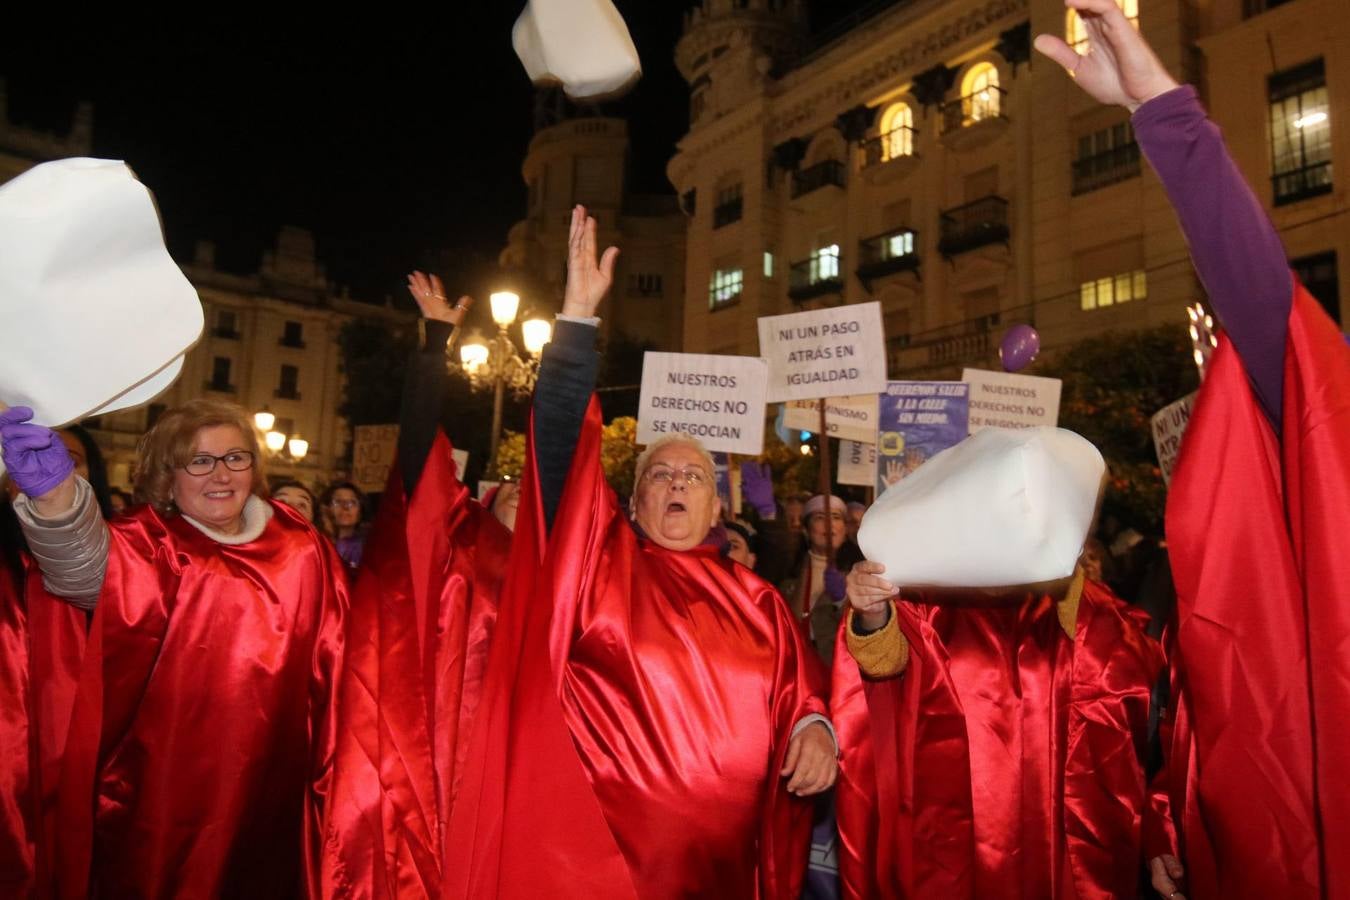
x=1005 y=763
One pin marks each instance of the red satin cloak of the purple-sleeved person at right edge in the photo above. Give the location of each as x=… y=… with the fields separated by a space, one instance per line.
x=1258 y=528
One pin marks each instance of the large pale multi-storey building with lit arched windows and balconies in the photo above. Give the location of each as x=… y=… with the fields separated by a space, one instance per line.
x=919 y=156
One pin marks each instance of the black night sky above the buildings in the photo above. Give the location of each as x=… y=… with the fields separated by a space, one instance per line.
x=398 y=142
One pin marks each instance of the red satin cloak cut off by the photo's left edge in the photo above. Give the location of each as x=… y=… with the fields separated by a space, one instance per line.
x=41 y=646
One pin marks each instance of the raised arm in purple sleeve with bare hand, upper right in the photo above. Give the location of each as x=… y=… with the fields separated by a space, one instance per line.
x=1236 y=249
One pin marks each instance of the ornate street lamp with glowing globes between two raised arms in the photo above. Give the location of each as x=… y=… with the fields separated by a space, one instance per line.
x=500 y=364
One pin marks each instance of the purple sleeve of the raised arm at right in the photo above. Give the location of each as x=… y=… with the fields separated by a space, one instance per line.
x=1236 y=249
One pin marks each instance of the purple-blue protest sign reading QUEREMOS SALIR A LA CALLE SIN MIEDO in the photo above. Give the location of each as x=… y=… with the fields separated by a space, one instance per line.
x=919 y=420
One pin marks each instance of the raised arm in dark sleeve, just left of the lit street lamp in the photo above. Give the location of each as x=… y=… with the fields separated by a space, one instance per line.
x=427 y=378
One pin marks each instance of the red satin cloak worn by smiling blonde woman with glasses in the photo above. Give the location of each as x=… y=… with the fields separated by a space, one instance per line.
x=200 y=743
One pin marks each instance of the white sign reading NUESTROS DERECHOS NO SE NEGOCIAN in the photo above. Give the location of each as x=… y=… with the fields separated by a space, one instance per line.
x=719 y=400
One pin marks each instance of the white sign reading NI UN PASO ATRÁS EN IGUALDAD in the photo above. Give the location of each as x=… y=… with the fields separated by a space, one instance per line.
x=826 y=353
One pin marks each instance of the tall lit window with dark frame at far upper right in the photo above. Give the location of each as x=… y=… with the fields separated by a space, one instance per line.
x=1301 y=134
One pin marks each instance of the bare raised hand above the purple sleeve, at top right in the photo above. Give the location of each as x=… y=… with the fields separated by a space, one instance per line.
x=1120 y=67
